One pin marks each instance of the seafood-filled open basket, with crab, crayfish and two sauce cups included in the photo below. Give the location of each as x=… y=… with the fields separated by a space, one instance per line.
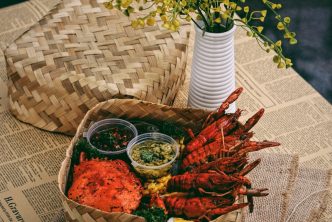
x=191 y=165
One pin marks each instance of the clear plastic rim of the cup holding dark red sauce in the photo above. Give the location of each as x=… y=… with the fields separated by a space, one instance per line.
x=106 y=124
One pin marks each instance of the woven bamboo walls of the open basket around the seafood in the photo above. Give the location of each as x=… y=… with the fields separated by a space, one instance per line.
x=126 y=109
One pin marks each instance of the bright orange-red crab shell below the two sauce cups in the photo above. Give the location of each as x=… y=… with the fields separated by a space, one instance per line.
x=108 y=185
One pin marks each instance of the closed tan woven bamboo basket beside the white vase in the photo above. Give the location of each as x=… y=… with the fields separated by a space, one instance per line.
x=80 y=54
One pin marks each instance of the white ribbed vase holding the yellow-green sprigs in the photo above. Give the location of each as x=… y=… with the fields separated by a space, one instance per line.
x=212 y=71
